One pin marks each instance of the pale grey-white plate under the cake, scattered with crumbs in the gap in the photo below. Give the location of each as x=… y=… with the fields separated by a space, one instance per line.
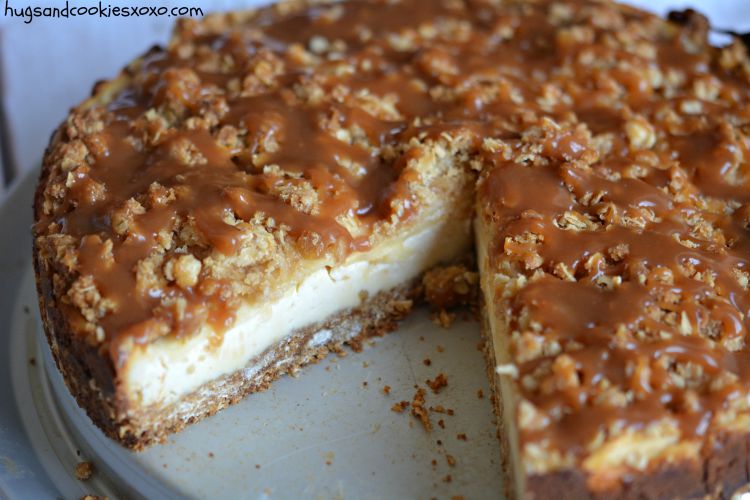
x=330 y=433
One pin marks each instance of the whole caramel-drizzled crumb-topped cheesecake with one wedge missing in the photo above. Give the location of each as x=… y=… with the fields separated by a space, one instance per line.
x=274 y=184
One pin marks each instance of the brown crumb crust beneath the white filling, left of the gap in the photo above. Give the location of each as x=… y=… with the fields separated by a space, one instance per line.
x=90 y=378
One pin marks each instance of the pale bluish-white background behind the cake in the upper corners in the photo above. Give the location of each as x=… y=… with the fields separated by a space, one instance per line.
x=49 y=65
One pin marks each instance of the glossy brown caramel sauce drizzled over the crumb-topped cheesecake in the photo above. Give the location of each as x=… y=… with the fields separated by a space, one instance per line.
x=470 y=68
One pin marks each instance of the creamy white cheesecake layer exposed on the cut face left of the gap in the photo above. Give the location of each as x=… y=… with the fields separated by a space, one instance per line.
x=162 y=372
